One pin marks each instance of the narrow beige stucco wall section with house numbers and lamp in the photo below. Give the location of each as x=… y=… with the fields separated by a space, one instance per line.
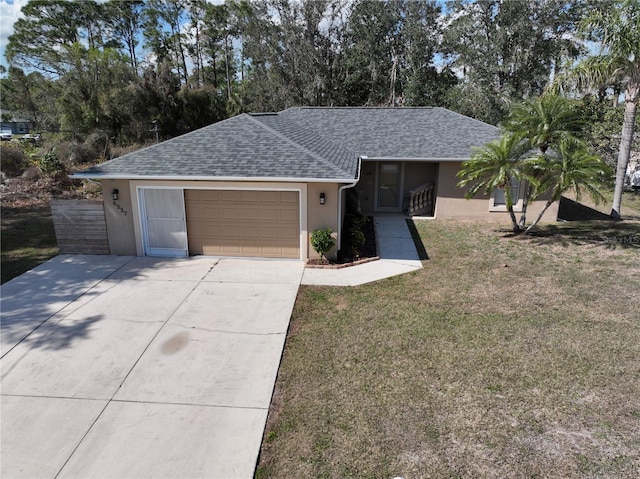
x=120 y=226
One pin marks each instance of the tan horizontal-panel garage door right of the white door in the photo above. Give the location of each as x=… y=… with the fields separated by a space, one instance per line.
x=243 y=223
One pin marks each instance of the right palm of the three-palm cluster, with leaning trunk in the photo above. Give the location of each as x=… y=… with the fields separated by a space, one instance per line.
x=570 y=166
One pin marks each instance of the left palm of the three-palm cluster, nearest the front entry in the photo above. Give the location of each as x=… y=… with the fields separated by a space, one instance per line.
x=493 y=166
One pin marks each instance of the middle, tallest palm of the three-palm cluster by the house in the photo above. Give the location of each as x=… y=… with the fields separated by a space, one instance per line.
x=545 y=121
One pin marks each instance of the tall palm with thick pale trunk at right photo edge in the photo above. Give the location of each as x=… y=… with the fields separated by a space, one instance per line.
x=616 y=25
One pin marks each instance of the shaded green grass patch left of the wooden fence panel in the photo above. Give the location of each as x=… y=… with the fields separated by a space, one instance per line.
x=28 y=239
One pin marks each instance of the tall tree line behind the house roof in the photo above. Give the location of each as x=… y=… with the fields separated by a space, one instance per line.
x=115 y=67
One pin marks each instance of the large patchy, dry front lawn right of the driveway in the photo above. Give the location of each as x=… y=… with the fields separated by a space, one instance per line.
x=503 y=357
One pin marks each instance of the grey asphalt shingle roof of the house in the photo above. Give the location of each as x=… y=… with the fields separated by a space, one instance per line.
x=303 y=143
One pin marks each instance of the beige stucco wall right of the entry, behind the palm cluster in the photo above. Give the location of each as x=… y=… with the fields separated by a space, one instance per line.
x=451 y=204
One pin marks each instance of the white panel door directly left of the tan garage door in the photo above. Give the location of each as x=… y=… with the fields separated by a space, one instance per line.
x=164 y=226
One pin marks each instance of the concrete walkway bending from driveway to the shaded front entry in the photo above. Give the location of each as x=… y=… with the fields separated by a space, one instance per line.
x=397 y=251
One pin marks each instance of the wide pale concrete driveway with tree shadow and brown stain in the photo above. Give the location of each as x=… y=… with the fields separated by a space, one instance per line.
x=121 y=367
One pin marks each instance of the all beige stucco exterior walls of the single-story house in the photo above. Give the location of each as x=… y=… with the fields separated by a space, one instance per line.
x=125 y=233
